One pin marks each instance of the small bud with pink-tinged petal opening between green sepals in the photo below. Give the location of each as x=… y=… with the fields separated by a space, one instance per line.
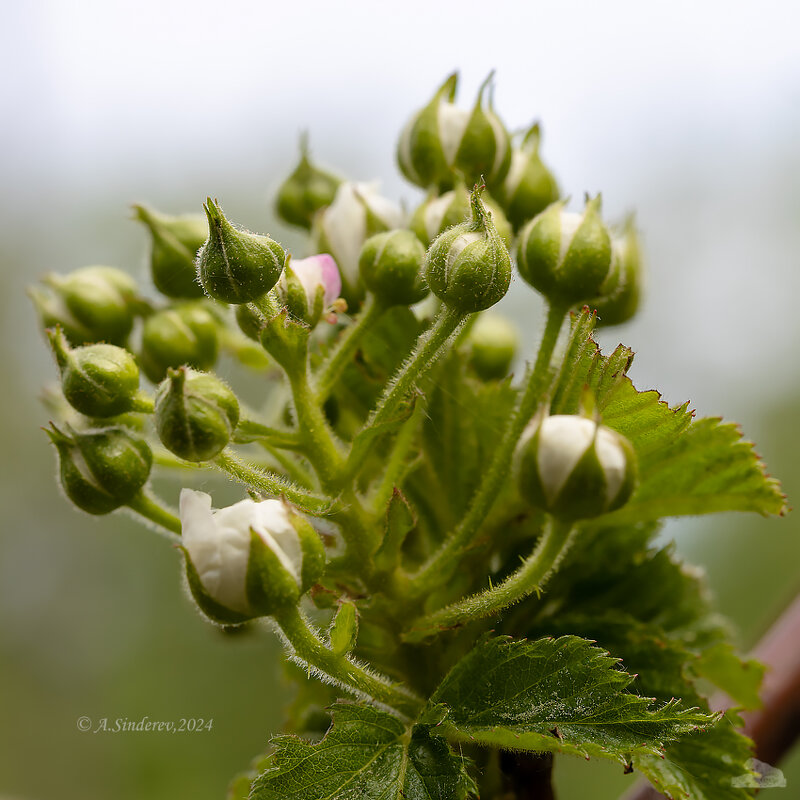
x=309 y=287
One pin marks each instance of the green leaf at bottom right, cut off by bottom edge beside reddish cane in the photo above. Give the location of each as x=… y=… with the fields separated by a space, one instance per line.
x=709 y=765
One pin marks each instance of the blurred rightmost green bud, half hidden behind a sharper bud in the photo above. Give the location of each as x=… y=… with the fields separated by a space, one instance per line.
x=620 y=294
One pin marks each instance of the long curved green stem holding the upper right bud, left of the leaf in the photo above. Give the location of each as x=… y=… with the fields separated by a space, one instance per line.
x=431 y=574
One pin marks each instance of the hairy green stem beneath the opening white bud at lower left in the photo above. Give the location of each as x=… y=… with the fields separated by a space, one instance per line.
x=308 y=647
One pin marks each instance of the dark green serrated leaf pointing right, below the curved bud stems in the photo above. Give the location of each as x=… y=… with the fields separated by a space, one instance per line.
x=560 y=695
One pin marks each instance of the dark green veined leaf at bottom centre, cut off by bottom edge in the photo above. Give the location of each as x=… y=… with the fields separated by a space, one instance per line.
x=366 y=755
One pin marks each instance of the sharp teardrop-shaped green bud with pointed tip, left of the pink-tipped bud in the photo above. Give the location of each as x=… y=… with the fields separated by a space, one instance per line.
x=236 y=266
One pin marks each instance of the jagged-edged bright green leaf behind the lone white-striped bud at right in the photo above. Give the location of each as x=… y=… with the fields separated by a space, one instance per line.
x=686 y=466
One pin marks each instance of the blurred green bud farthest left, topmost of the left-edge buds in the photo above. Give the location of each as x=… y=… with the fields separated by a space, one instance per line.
x=91 y=304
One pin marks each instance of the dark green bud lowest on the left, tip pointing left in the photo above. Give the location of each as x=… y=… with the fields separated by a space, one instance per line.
x=101 y=470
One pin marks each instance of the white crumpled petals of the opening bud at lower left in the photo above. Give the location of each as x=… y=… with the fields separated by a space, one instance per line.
x=218 y=544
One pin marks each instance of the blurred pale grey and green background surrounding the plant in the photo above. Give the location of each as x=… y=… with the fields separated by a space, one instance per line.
x=687 y=112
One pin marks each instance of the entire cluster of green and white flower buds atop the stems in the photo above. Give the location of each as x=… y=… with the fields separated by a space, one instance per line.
x=460 y=245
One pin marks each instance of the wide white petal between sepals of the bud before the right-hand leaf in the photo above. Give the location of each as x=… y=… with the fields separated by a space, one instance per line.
x=562 y=441
